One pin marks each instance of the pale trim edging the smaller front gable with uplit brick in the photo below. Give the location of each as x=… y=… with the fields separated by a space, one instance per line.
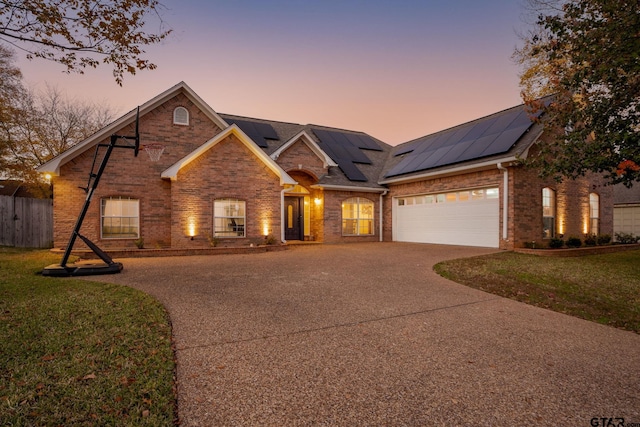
x=172 y=172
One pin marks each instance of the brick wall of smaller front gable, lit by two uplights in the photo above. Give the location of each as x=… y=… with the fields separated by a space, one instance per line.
x=227 y=170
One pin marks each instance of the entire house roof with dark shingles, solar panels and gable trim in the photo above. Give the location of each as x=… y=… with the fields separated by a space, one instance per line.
x=354 y=160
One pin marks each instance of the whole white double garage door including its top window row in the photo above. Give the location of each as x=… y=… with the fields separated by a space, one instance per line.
x=469 y=218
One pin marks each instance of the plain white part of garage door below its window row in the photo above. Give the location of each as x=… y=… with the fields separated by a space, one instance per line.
x=469 y=223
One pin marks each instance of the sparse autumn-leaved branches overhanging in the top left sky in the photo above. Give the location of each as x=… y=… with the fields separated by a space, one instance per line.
x=82 y=33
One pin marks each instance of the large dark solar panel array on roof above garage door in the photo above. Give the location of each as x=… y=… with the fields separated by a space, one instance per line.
x=484 y=137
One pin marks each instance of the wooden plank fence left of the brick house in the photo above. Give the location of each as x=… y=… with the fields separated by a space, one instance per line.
x=26 y=223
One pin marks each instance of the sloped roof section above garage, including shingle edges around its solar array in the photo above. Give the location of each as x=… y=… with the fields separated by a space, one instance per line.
x=490 y=138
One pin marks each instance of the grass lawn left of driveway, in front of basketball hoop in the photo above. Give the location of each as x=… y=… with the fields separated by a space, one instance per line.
x=80 y=353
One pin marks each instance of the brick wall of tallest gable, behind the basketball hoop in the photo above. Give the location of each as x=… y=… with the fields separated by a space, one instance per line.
x=129 y=176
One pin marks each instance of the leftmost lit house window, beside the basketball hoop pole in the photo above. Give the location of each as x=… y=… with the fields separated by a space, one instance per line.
x=120 y=218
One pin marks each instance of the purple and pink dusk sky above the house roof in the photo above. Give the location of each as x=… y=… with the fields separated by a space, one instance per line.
x=396 y=69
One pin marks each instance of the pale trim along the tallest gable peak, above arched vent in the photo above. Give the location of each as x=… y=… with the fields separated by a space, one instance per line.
x=53 y=165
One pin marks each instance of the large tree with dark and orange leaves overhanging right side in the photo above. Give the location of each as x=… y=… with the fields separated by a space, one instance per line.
x=587 y=54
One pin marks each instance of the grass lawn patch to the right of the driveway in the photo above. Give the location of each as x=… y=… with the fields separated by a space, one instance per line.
x=600 y=288
